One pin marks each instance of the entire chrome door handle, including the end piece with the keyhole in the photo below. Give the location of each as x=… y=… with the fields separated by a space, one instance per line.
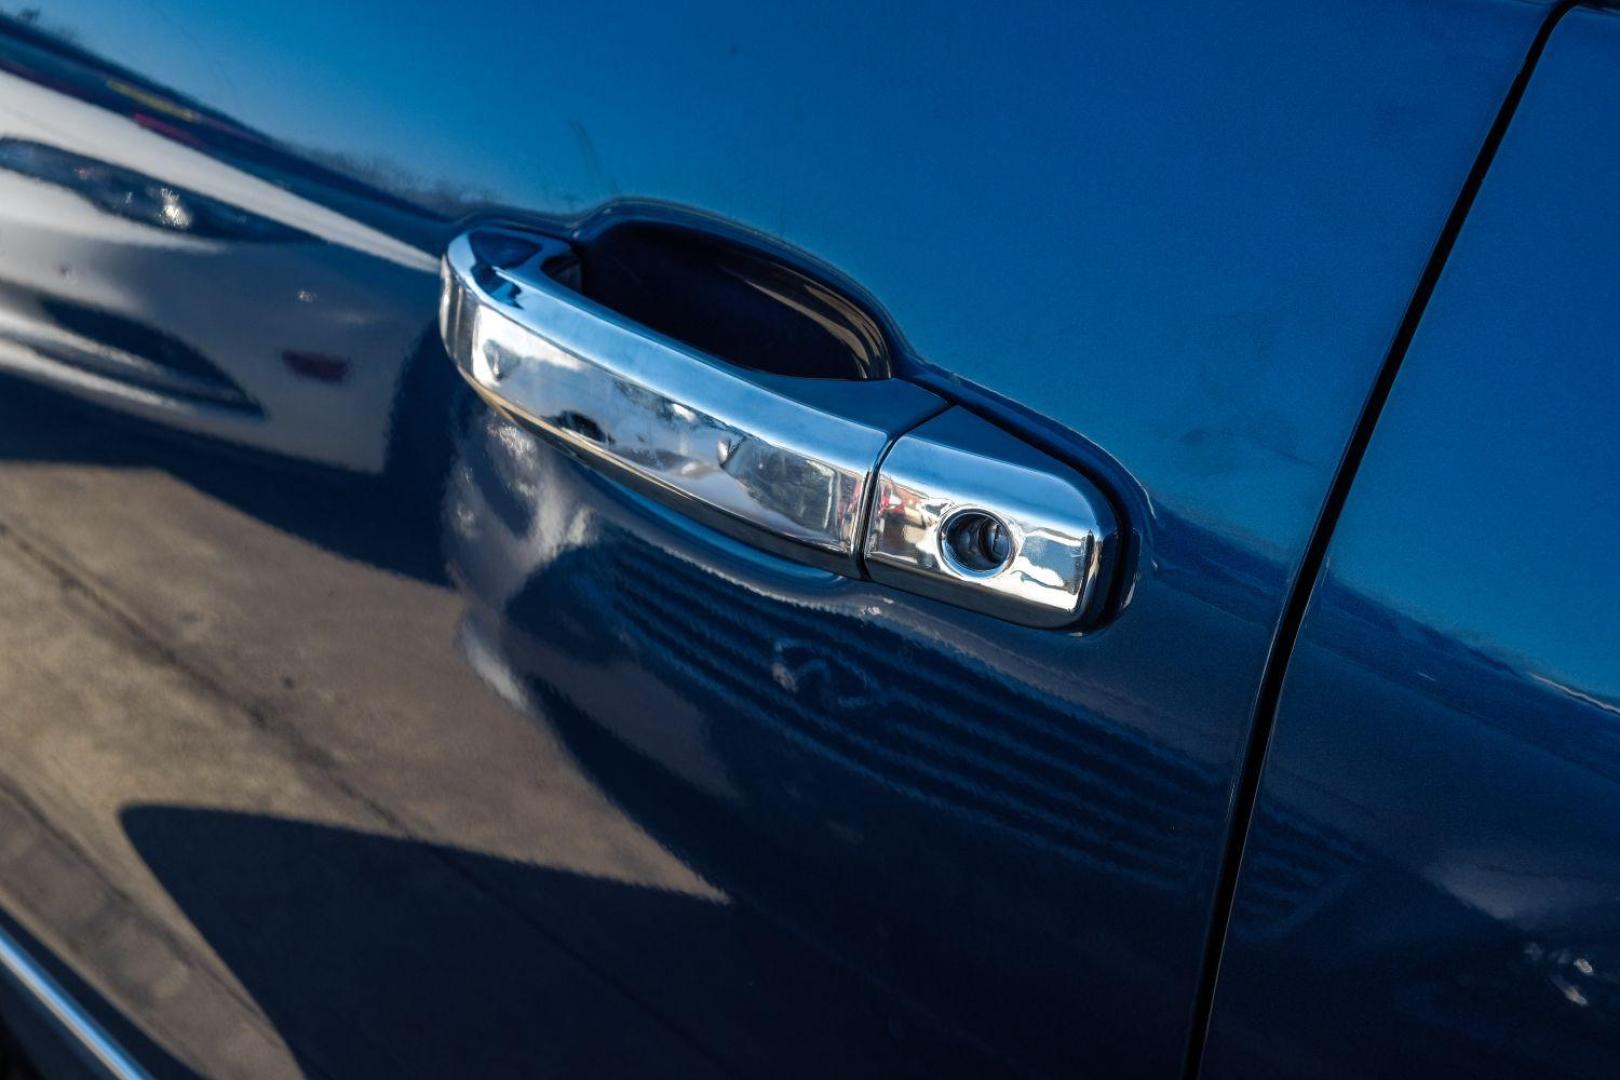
x=877 y=477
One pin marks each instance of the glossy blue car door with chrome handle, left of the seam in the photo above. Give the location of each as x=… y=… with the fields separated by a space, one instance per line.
x=365 y=718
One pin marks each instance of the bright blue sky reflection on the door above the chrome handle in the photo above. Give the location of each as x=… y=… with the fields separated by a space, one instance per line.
x=1183 y=231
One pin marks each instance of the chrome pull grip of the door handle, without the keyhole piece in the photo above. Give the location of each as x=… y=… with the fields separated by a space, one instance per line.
x=783 y=464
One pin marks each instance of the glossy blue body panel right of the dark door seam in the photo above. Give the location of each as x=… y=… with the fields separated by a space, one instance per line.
x=1431 y=883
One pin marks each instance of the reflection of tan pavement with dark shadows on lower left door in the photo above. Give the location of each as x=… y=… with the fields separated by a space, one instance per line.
x=169 y=639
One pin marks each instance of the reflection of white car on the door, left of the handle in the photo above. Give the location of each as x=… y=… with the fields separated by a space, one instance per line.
x=150 y=278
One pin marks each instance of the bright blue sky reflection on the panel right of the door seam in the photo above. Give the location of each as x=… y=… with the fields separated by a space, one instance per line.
x=1490 y=503
